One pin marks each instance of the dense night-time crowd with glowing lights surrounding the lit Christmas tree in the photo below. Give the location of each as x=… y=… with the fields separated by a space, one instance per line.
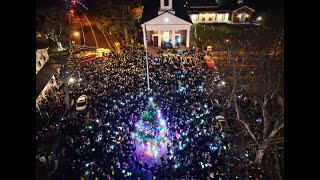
x=97 y=143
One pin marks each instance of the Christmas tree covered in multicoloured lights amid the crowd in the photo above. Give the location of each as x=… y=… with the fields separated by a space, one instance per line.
x=151 y=132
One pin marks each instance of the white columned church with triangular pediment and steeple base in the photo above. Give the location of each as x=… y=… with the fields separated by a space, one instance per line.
x=168 y=24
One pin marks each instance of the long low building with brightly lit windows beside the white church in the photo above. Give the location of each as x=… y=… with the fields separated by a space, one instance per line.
x=209 y=11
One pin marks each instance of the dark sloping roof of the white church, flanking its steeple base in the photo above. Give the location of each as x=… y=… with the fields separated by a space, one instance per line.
x=151 y=8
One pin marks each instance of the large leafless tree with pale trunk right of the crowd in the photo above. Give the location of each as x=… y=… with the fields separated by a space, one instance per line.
x=253 y=72
